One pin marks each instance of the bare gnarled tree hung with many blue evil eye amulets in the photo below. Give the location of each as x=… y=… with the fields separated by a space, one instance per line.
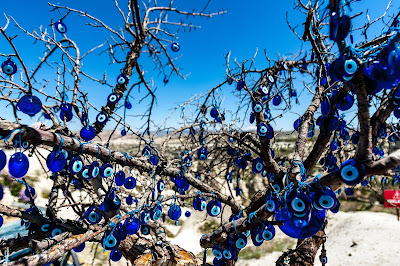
x=333 y=72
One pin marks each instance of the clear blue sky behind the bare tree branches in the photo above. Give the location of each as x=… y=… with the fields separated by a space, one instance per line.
x=247 y=26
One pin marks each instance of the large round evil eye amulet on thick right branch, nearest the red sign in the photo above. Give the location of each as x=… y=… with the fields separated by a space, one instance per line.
x=352 y=172
